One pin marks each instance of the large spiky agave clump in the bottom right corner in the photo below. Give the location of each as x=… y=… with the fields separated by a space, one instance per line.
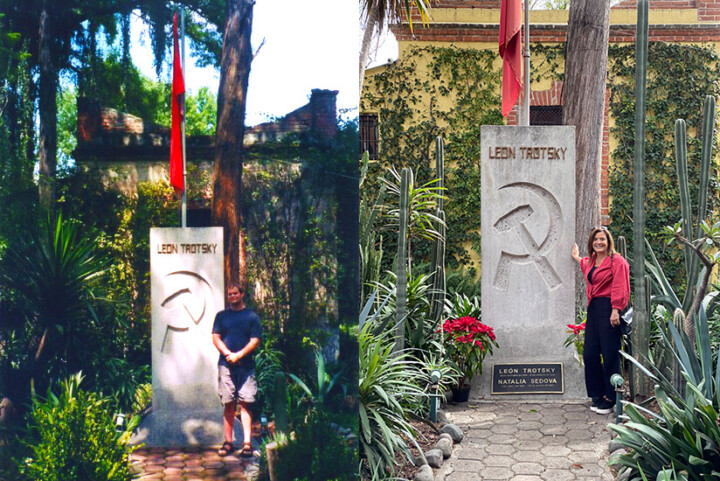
x=685 y=435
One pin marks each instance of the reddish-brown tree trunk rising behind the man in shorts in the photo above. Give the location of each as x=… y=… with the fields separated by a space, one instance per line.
x=227 y=169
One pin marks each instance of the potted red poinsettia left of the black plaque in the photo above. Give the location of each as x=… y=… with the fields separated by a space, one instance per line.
x=467 y=341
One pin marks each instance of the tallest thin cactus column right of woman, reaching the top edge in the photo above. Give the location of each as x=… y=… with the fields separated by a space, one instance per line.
x=641 y=334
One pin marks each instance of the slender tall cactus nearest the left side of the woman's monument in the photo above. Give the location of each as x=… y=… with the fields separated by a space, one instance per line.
x=438 y=254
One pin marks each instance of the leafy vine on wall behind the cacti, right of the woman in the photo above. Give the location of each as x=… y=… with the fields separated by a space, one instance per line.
x=679 y=78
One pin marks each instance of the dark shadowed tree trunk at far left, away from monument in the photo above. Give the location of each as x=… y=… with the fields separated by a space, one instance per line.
x=48 y=112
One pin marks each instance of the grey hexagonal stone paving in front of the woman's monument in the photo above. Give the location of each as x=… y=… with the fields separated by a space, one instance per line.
x=524 y=441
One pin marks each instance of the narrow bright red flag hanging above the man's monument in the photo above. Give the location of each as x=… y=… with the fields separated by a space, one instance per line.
x=178 y=111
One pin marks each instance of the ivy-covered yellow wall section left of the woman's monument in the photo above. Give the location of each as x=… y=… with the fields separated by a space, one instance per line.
x=433 y=91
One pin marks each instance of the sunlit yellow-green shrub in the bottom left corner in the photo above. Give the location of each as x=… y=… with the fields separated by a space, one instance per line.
x=74 y=438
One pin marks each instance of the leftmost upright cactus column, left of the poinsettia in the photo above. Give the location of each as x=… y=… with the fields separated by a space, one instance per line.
x=401 y=260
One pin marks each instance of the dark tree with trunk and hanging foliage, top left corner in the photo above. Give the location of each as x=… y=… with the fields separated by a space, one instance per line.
x=60 y=35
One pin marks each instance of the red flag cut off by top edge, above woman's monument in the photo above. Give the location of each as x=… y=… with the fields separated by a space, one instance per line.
x=510 y=51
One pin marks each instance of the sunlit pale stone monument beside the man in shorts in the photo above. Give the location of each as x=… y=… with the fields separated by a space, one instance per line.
x=187 y=290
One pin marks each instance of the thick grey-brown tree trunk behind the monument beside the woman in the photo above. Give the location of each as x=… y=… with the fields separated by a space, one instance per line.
x=584 y=107
